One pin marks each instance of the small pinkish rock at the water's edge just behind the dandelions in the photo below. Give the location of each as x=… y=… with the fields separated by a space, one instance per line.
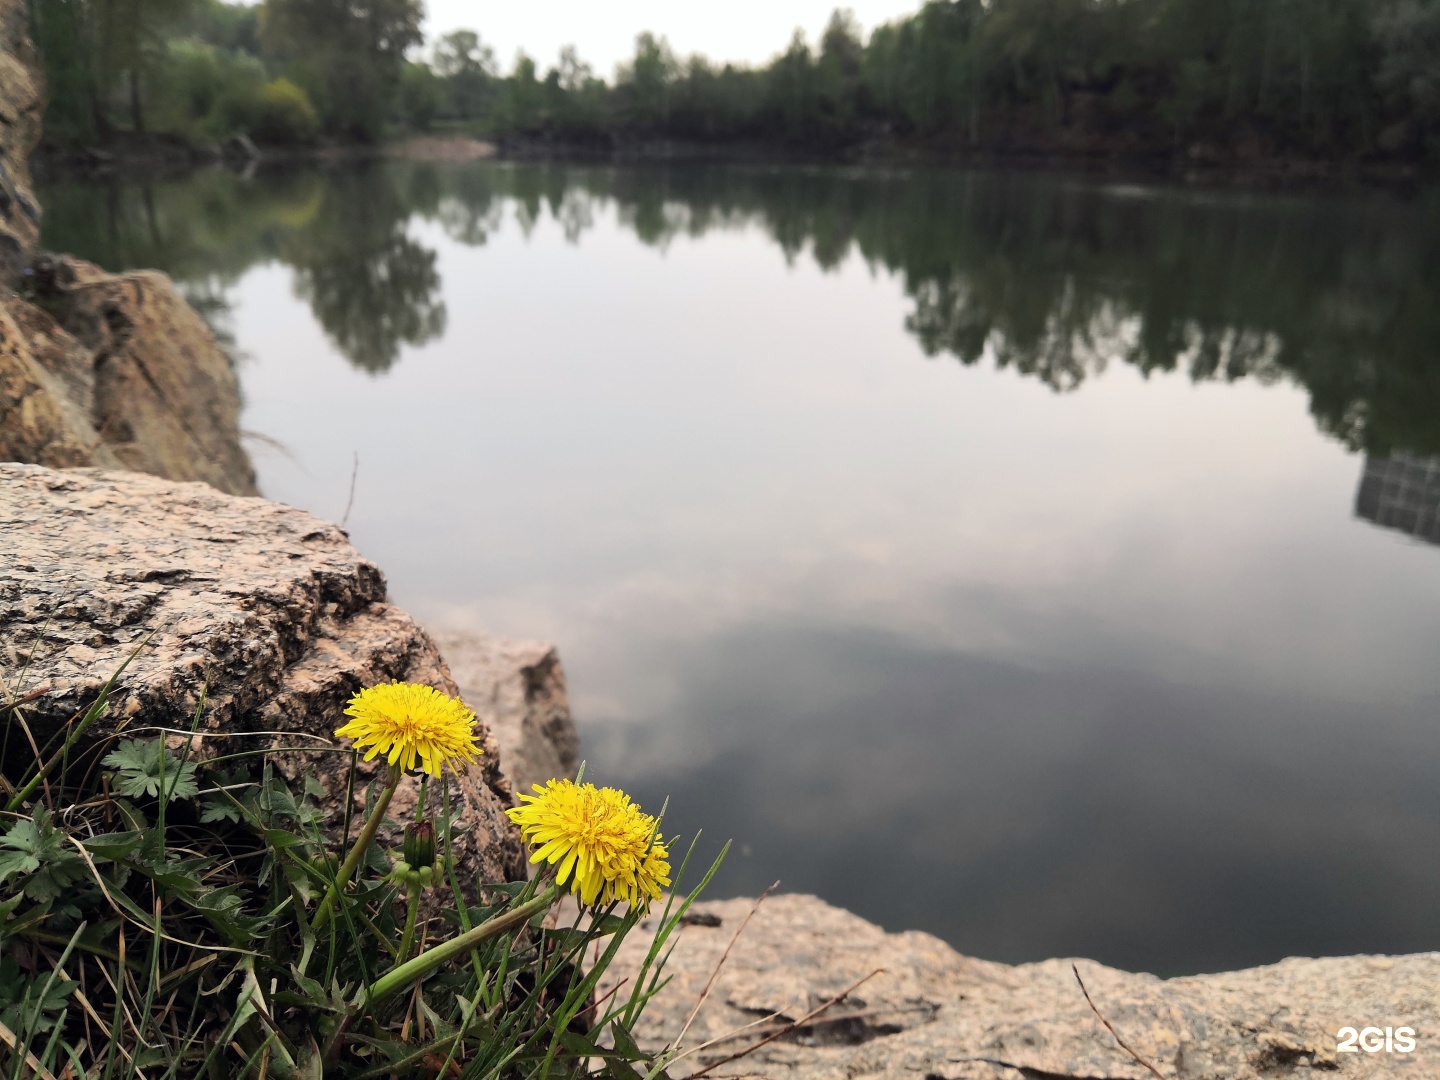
x=518 y=689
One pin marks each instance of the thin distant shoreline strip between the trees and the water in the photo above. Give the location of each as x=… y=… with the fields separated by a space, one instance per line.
x=1261 y=174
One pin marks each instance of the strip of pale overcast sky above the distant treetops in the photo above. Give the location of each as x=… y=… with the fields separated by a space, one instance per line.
x=751 y=31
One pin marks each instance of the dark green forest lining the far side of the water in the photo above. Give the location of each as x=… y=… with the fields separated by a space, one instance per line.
x=1200 y=81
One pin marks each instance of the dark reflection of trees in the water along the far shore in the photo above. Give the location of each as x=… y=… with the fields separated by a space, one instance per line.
x=1040 y=274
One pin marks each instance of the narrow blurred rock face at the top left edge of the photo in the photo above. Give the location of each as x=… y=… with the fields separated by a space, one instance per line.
x=22 y=102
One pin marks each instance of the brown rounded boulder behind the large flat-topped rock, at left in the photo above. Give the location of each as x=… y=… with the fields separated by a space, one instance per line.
x=132 y=368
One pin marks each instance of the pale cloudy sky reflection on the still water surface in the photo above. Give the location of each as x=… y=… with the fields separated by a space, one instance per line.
x=1111 y=673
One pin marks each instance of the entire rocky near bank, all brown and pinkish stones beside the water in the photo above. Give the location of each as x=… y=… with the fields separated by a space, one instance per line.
x=130 y=523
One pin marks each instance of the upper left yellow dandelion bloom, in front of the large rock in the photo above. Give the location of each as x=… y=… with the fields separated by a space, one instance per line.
x=408 y=721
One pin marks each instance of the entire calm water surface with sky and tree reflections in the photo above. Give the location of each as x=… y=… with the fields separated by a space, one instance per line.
x=1043 y=564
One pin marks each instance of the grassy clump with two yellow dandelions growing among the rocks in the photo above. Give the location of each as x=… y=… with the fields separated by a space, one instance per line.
x=166 y=918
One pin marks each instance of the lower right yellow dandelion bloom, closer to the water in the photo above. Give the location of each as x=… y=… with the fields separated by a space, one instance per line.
x=600 y=840
